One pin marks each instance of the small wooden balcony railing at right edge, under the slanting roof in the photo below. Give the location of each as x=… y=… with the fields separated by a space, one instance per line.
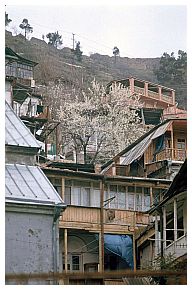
x=171 y=154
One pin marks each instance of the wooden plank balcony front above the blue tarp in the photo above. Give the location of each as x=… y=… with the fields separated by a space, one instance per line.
x=88 y=218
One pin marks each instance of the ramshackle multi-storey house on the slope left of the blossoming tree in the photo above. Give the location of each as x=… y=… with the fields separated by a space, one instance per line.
x=22 y=96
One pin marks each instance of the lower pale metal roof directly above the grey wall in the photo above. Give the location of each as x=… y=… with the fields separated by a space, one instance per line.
x=29 y=184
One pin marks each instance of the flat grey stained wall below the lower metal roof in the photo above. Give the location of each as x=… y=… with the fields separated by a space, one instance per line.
x=28 y=242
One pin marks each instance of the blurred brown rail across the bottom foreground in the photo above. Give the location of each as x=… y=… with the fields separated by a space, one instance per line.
x=98 y=278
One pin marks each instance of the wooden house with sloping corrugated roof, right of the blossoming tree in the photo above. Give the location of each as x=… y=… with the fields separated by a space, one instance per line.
x=159 y=153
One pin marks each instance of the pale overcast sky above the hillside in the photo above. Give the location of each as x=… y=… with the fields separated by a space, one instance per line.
x=138 y=30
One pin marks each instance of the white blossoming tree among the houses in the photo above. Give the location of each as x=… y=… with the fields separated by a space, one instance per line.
x=99 y=124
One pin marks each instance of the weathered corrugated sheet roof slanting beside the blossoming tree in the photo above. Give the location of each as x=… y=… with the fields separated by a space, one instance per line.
x=138 y=150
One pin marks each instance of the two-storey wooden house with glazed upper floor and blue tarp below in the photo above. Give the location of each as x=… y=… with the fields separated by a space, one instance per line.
x=98 y=227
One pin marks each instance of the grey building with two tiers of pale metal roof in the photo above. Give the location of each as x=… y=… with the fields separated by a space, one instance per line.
x=32 y=206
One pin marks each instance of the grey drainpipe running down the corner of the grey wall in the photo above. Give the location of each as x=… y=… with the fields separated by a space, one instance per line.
x=59 y=208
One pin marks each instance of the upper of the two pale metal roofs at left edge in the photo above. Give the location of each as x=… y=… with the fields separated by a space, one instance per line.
x=16 y=133
